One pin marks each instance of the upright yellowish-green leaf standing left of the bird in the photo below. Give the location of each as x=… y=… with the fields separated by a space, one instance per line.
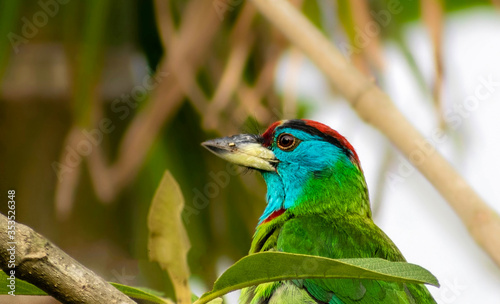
x=168 y=242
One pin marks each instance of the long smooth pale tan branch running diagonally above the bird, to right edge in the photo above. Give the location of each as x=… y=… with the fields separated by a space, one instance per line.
x=376 y=108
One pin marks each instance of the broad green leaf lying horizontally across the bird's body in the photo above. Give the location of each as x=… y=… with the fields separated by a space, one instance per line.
x=276 y=266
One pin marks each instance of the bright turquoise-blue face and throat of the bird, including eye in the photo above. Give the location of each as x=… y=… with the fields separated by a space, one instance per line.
x=302 y=156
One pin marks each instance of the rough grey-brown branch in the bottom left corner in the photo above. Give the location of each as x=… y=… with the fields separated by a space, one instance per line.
x=44 y=265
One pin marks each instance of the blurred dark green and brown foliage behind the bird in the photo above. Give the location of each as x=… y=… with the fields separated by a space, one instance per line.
x=162 y=77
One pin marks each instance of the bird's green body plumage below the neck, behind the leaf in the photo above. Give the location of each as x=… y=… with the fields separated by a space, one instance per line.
x=341 y=237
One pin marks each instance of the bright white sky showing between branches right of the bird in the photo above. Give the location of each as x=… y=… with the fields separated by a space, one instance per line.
x=413 y=214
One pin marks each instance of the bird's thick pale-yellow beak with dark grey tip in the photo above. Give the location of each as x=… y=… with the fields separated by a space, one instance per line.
x=244 y=150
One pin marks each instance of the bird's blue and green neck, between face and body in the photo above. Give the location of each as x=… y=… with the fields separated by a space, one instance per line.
x=335 y=191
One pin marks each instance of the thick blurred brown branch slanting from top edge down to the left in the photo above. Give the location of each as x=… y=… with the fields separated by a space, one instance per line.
x=188 y=43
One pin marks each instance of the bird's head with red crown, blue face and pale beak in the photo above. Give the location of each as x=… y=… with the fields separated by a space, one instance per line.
x=308 y=167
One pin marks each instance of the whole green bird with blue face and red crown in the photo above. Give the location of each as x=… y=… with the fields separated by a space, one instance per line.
x=317 y=204
